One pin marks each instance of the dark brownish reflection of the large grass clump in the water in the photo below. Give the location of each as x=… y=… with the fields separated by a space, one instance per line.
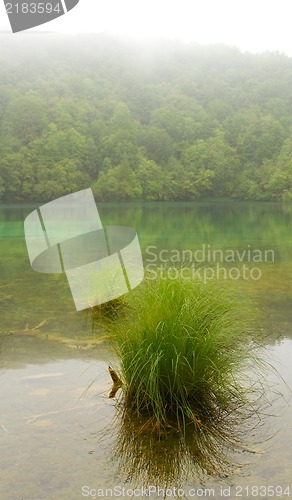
x=146 y=455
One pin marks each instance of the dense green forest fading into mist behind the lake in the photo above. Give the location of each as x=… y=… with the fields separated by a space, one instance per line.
x=151 y=121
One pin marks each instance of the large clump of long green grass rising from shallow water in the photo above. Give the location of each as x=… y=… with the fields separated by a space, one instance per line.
x=181 y=350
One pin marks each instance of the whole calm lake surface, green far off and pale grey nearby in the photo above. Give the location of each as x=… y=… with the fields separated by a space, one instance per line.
x=58 y=429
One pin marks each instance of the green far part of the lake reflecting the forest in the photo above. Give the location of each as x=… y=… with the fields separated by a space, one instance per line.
x=168 y=231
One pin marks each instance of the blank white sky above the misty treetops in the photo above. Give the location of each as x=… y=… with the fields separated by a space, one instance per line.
x=253 y=25
